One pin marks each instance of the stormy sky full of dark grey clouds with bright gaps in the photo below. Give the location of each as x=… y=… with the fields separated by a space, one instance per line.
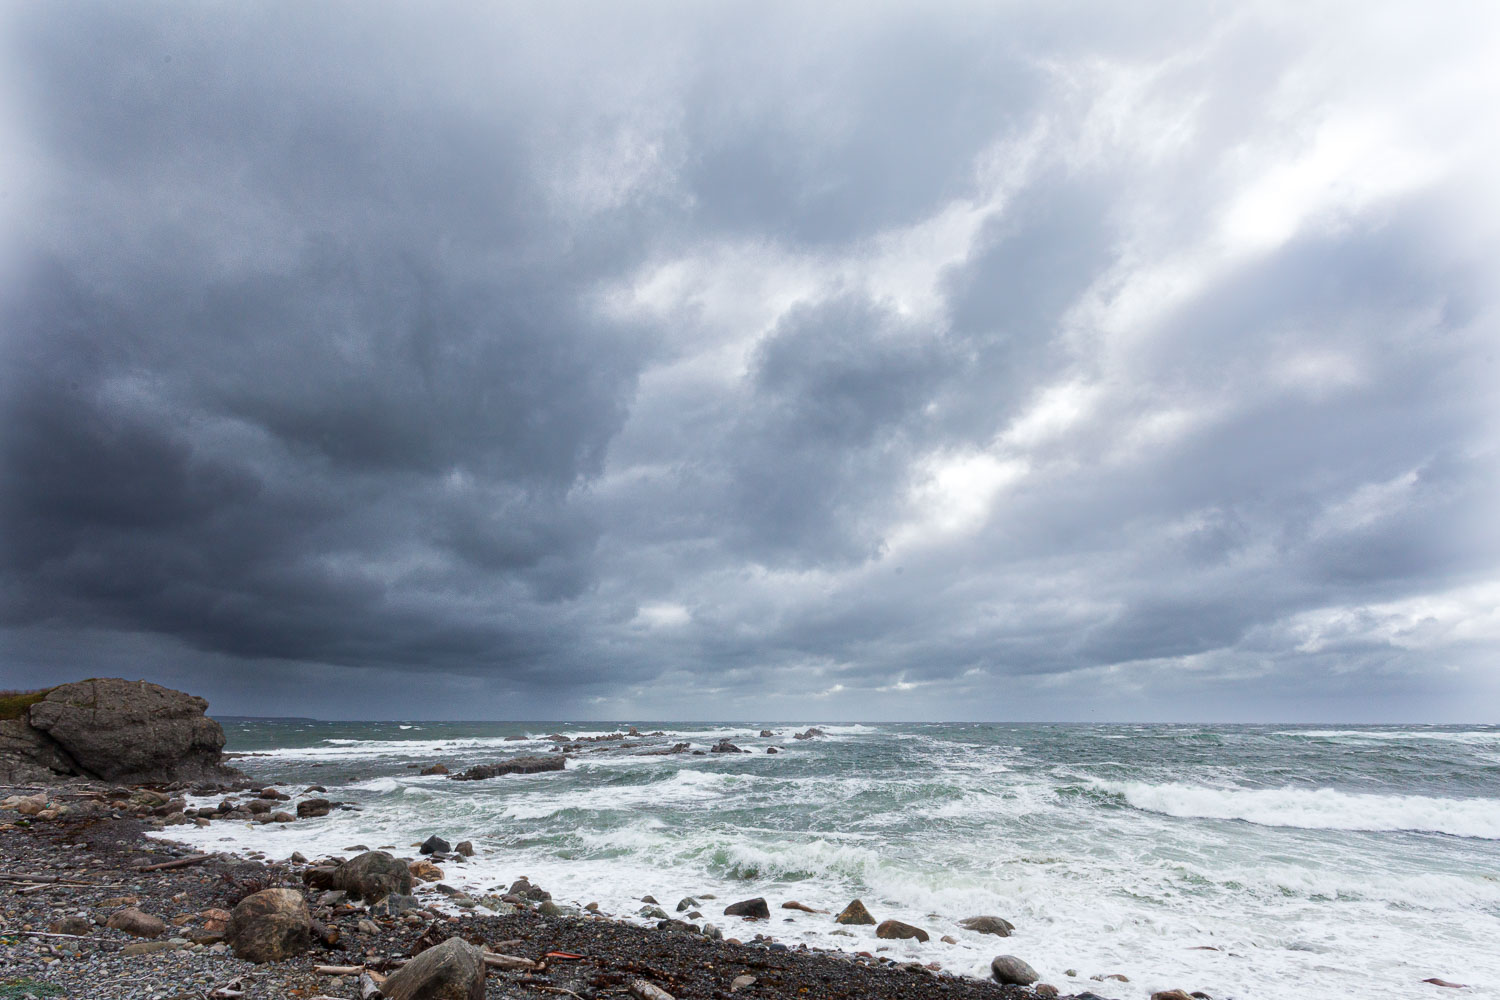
x=766 y=362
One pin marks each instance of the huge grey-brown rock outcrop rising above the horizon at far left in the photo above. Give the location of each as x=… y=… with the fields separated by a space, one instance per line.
x=124 y=731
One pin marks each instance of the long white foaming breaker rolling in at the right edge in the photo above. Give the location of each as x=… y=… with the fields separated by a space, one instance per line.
x=1318 y=809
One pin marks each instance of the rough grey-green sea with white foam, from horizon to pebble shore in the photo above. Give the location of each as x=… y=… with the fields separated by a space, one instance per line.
x=1253 y=863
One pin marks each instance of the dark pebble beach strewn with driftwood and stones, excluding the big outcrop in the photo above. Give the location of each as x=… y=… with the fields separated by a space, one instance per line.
x=92 y=908
